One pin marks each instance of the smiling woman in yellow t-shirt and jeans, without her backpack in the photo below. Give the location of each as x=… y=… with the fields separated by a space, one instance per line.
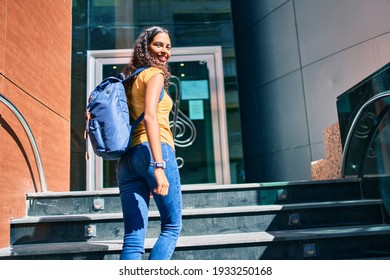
x=150 y=166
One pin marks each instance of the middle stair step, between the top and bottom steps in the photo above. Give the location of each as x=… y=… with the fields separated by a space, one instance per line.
x=201 y=221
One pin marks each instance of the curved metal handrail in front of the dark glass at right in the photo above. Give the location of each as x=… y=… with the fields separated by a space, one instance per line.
x=355 y=121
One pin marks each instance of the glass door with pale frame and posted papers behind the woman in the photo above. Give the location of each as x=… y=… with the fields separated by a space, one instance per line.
x=198 y=120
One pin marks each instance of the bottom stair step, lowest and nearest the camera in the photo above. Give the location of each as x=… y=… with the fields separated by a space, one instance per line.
x=321 y=243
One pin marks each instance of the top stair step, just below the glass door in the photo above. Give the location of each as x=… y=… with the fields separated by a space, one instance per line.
x=199 y=196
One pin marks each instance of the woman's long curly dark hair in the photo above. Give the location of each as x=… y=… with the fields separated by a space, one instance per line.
x=141 y=56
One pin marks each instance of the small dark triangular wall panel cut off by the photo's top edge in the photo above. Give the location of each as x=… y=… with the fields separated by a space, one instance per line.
x=254 y=11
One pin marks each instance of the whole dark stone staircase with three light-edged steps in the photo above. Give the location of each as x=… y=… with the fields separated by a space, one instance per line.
x=335 y=219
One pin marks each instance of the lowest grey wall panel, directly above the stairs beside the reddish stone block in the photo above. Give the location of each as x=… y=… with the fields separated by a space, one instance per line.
x=286 y=165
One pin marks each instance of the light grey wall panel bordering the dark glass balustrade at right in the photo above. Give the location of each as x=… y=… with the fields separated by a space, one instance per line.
x=330 y=77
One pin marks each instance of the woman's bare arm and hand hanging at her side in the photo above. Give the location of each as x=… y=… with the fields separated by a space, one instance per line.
x=152 y=94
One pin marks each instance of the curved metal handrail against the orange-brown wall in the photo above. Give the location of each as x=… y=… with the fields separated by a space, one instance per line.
x=31 y=138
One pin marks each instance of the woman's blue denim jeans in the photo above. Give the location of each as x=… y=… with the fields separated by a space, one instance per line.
x=136 y=181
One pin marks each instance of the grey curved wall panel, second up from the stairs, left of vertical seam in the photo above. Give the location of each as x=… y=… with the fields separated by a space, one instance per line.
x=281 y=120
